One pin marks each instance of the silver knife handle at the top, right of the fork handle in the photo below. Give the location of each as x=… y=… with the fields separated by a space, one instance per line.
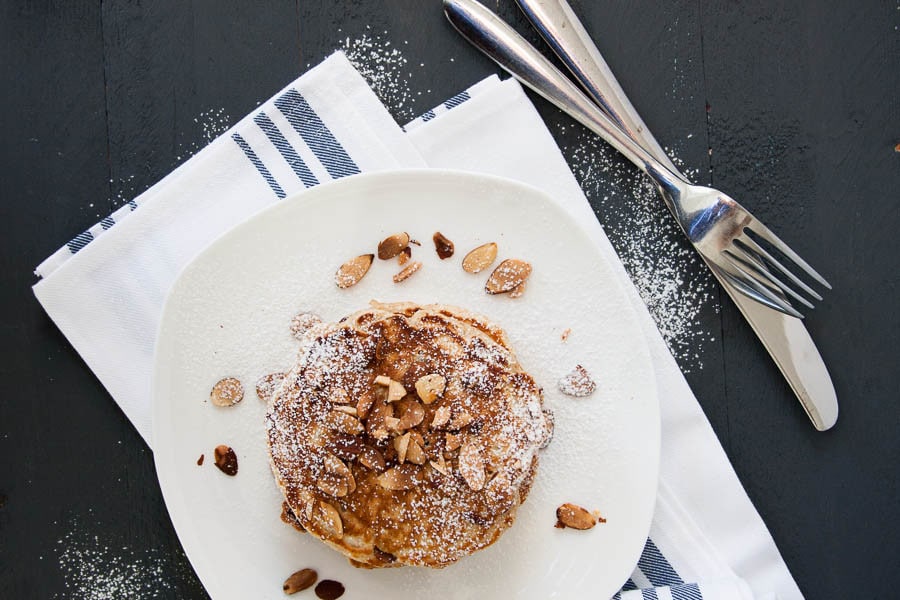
x=564 y=33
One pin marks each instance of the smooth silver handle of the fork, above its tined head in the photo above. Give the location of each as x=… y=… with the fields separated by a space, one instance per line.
x=490 y=34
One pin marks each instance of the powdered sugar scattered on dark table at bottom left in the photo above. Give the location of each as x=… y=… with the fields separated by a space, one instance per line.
x=94 y=568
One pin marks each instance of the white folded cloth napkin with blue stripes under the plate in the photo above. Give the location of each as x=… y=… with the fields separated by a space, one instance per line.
x=105 y=289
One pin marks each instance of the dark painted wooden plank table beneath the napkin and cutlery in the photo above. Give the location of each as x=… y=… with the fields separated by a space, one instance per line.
x=792 y=107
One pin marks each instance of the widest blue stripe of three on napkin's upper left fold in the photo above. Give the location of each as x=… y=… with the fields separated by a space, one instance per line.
x=317 y=136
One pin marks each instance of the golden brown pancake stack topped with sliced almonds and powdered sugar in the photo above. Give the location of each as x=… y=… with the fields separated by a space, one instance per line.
x=412 y=480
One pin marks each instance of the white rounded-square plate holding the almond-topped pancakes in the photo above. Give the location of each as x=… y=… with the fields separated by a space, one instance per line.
x=397 y=488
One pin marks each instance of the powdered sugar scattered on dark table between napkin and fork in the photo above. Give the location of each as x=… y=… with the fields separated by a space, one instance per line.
x=656 y=255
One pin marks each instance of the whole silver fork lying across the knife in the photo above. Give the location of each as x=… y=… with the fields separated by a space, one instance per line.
x=733 y=242
